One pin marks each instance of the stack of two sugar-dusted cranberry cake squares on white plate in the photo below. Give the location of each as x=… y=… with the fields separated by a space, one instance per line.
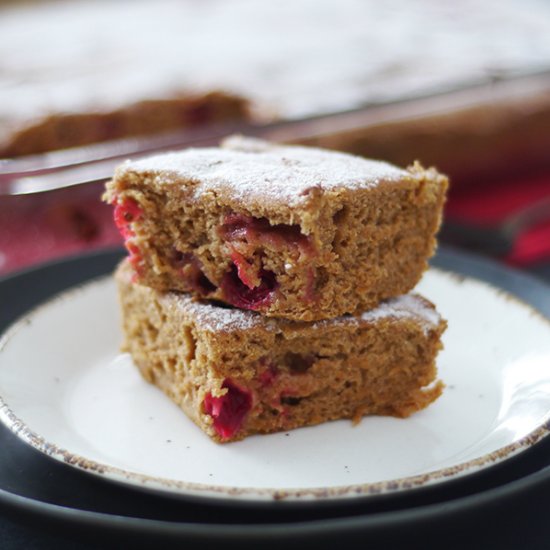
x=267 y=287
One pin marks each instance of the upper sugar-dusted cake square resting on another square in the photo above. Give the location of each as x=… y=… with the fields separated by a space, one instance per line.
x=292 y=232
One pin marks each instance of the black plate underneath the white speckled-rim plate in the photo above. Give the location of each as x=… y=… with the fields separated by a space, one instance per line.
x=34 y=484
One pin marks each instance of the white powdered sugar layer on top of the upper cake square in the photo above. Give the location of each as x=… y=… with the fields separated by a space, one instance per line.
x=254 y=169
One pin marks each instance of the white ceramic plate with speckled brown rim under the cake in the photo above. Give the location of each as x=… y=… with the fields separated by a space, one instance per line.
x=67 y=391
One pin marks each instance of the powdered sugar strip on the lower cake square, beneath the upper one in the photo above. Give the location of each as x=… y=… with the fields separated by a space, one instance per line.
x=217 y=319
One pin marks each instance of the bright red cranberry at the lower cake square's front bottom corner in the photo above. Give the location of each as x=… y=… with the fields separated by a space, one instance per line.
x=229 y=410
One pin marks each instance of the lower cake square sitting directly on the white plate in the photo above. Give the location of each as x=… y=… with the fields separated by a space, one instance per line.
x=237 y=373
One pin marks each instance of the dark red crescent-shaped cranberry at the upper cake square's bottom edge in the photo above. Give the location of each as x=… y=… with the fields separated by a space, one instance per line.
x=240 y=295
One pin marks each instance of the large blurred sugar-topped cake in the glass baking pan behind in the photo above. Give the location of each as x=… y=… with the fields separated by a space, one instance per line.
x=71 y=73
